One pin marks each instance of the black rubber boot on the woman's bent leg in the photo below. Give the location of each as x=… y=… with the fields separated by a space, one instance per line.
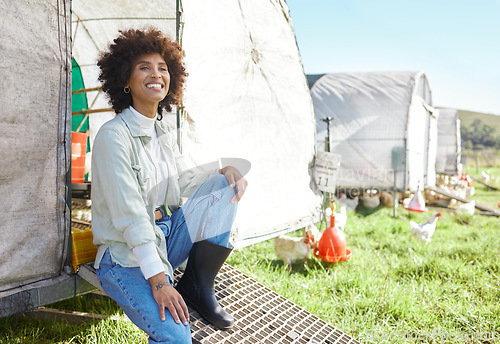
x=197 y=284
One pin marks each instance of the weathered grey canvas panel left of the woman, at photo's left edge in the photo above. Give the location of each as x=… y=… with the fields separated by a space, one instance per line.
x=34 y=145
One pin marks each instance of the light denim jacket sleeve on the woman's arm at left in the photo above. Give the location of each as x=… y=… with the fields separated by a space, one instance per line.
x=112 y=172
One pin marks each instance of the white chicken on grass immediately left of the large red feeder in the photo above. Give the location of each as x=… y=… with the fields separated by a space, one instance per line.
x=290 y=249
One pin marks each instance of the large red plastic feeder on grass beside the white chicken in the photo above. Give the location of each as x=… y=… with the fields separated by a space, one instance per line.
x=332 y=245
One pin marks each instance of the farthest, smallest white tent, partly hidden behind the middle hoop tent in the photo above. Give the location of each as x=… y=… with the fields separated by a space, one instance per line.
x=449 y=145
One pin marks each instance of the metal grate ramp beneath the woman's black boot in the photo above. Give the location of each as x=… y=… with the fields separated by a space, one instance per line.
x=261 y=315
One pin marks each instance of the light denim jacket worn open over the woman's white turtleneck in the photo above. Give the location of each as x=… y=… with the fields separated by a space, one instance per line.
x=124 y=192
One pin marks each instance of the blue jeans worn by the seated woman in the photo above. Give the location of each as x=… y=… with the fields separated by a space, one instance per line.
x=207 y=215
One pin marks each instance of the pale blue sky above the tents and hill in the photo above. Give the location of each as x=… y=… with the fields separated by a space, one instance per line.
x=456 y=43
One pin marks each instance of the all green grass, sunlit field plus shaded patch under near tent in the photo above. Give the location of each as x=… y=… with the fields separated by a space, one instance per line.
x=393 y=285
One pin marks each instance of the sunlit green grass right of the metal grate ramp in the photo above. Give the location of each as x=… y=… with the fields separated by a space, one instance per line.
x=393 y=282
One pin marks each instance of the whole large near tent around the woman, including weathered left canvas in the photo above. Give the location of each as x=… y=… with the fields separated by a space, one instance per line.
x=246 y=98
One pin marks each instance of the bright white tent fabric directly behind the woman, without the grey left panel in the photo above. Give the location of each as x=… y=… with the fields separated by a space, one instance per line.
x=246 y=98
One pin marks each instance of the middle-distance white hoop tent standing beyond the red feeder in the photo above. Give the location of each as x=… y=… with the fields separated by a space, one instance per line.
x=383 y=127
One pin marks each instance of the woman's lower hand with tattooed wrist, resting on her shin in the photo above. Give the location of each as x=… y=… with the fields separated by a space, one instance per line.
x=167 y=297
